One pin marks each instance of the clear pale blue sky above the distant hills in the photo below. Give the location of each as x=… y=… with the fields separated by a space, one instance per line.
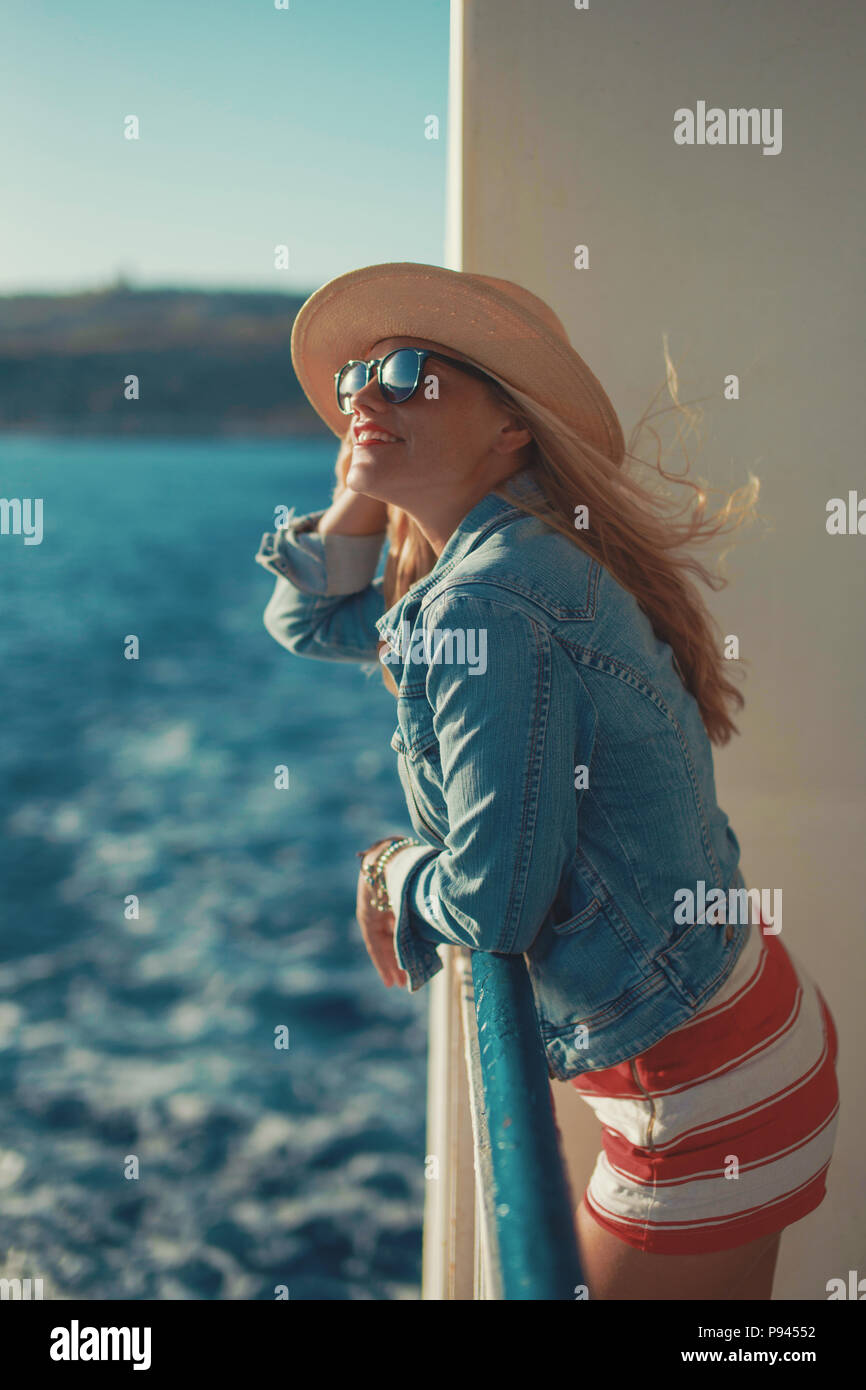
x=259 y=127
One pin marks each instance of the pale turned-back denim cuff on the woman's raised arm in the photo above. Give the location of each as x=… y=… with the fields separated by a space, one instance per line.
x=325 y=565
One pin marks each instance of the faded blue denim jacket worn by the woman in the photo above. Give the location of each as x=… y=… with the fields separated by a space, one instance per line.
x=555 y=769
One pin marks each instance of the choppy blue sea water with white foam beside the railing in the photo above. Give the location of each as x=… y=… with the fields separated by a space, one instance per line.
x=155 y=1038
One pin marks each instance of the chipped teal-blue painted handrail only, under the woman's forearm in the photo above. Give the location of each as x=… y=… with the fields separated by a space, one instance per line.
x=530 y=1204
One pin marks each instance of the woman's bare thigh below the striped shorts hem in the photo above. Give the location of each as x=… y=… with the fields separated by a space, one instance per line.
x=615 y=1270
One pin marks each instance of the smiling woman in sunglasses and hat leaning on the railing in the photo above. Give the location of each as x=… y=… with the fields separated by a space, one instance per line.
x=559 y=685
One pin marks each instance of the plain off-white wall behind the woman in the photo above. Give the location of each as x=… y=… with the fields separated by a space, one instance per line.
x=751 y=265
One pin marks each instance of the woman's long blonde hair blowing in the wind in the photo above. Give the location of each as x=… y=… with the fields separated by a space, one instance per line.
x=635 y=532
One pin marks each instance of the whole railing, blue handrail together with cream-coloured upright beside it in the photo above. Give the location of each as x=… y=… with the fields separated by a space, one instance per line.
x=500 y=1216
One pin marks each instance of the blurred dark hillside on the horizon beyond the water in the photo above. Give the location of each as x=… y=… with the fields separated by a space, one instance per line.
x=208 y=363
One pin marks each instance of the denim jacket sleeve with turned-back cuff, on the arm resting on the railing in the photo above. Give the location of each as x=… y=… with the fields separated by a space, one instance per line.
x=508 y=740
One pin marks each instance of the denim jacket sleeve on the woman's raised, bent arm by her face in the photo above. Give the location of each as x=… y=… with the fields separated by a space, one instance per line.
x=326 y=600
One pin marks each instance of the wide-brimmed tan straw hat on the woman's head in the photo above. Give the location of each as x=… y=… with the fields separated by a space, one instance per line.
x=494 y=323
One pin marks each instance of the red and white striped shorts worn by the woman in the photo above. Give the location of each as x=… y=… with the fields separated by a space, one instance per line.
x=724 y=1131
